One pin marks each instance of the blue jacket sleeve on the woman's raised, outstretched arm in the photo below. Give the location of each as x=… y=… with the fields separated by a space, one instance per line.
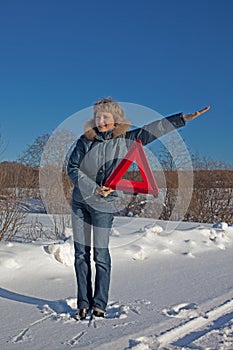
x=156 y=129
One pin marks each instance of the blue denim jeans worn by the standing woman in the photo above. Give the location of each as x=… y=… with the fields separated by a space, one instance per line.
x=86 y=219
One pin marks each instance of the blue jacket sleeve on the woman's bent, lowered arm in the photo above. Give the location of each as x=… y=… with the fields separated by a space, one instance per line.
x=80 y=180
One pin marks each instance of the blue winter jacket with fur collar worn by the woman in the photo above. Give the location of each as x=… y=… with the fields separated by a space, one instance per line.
x=97 y=154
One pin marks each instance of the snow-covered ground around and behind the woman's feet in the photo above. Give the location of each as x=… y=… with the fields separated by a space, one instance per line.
x=170 y=289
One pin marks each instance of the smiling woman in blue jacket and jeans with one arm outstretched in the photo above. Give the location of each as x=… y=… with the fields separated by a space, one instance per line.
x=105 y=142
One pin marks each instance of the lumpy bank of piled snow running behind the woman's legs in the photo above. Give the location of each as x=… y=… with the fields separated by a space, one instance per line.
x=153 y=238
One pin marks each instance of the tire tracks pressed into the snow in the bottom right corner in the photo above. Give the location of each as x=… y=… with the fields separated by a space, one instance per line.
x=181 y=335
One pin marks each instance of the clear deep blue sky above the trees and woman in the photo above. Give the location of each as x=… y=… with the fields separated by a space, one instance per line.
x=60 y=56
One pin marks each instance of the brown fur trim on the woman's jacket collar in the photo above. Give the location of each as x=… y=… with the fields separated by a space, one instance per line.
x=120 y=129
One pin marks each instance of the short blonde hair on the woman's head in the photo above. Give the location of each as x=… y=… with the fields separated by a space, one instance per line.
x=110 y=106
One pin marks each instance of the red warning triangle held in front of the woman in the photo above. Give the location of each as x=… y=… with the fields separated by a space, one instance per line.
x=147 y=185
